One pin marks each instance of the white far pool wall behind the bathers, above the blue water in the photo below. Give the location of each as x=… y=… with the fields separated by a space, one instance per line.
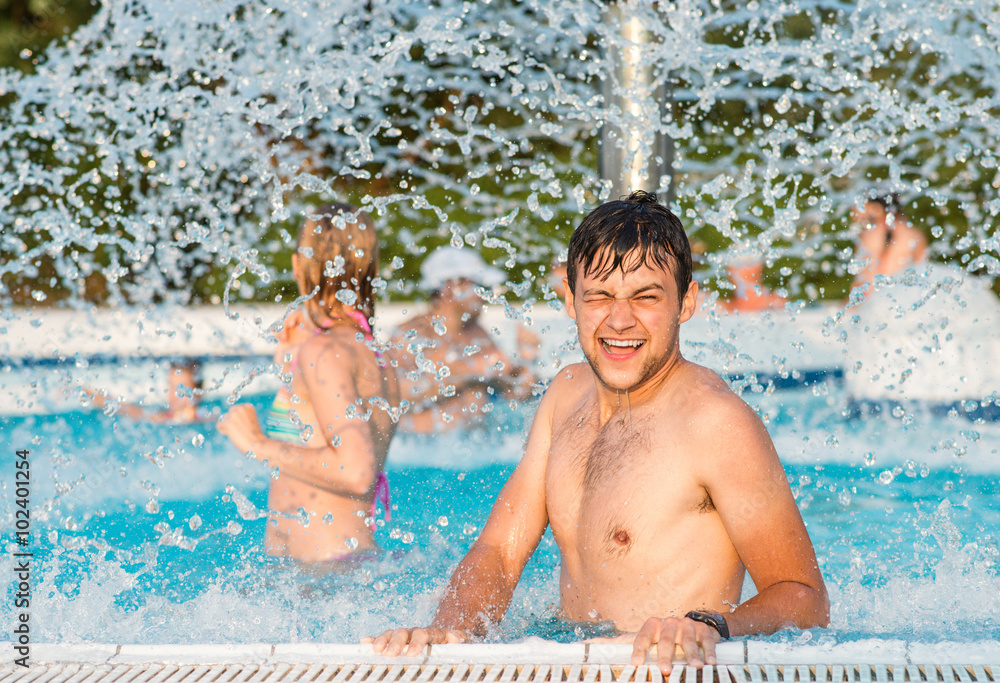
x=772 y=343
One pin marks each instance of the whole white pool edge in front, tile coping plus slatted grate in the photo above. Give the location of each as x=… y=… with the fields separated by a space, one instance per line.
x=535 y=660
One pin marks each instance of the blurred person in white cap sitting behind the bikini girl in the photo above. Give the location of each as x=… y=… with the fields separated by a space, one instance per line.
x=450 y=367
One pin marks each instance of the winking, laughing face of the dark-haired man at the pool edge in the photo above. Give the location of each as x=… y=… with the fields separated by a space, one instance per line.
x=628 y=324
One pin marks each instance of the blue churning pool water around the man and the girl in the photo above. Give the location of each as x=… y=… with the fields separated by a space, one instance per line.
x=147 y=533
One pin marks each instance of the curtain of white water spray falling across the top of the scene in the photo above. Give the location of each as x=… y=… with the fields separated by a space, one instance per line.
x=133 y=158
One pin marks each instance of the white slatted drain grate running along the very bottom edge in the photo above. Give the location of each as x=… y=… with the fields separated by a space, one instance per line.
x=492 y=673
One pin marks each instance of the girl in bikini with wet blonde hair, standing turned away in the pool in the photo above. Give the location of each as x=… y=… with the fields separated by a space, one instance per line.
x=329 y=429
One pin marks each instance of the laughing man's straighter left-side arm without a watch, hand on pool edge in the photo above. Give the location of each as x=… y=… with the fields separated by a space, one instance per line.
x=482 y=585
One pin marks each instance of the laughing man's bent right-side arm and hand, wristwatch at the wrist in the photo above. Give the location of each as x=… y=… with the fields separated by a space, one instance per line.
x=744 y=478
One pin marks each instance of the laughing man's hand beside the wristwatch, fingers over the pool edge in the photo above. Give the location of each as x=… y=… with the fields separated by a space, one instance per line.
x=695 y=640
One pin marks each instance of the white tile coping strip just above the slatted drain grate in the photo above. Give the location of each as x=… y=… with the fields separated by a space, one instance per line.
x=533 y=651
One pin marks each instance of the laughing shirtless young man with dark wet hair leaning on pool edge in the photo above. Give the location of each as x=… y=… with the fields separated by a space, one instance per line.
x=661 y=486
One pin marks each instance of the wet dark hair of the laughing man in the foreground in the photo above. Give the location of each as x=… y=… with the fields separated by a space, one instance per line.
x=626 y=234
